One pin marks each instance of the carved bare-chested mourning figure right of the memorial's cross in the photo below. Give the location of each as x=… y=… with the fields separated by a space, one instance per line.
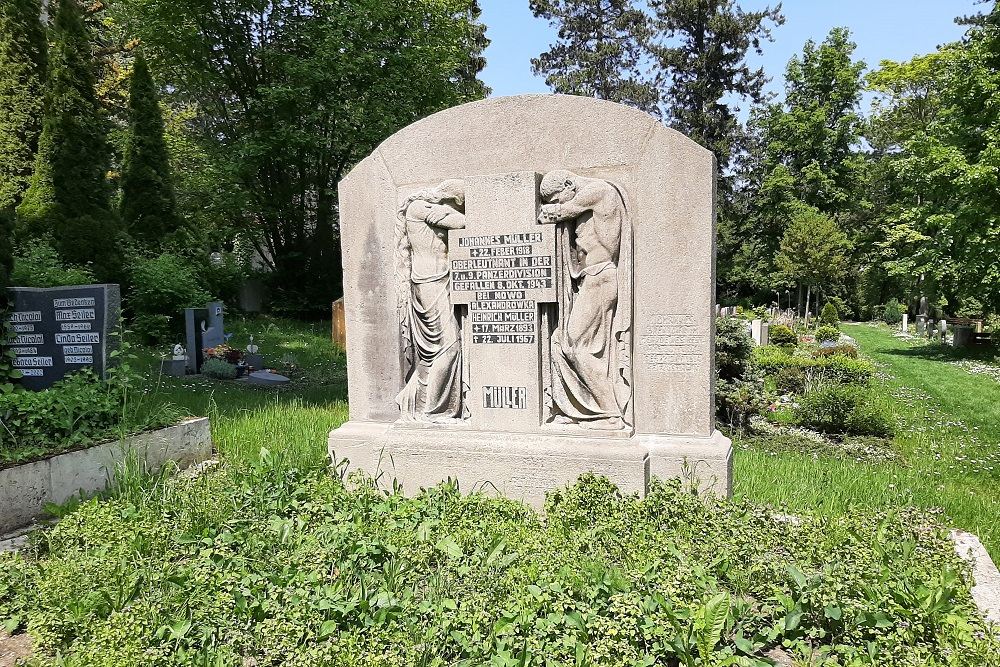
x=591 y=346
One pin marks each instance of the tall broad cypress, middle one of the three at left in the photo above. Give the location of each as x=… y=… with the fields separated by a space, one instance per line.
x=69 y=194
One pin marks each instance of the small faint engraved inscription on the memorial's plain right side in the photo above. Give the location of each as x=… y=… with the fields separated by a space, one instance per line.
x=673 y=343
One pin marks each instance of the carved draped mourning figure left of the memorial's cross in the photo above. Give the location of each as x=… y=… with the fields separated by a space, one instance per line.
x=429 y=326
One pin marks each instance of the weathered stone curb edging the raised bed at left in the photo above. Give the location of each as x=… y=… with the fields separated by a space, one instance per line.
x=26 y=489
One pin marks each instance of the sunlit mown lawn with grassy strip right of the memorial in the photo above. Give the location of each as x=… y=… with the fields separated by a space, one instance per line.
x=947 y=403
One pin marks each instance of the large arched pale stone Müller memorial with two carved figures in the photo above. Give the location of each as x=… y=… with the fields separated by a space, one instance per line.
x=529 y=296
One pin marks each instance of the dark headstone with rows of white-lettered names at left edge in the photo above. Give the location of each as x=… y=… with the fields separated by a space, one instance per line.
x=59 y=330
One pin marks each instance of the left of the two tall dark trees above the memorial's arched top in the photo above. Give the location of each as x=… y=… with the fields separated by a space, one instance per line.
x=599 y=52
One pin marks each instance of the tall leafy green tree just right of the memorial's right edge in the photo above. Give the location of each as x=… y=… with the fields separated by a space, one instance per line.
x=804 y=151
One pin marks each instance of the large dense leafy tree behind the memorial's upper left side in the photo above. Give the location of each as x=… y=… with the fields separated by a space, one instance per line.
x=290 y=95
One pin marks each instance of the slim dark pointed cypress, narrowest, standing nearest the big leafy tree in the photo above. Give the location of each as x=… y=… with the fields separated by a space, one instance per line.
x=148 y=206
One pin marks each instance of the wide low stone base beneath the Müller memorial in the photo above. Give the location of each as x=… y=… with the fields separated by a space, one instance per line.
x=524 y=466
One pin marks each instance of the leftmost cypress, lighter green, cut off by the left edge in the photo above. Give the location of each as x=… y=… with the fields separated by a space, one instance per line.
x=22 y=71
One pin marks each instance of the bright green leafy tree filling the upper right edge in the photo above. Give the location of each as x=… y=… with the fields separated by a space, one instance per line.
x=942 y=215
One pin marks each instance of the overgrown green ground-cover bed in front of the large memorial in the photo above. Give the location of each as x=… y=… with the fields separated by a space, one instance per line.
x=273 y=561
